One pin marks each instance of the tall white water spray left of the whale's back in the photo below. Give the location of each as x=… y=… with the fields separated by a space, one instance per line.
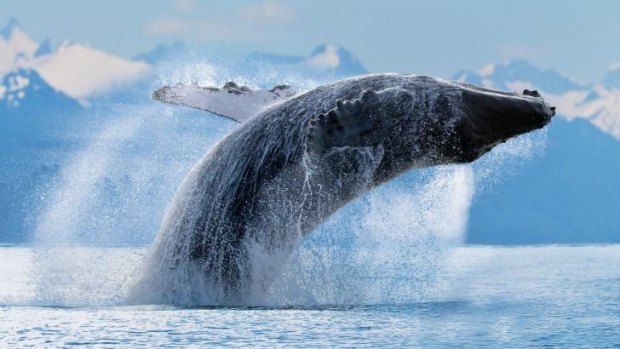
x=112 y=193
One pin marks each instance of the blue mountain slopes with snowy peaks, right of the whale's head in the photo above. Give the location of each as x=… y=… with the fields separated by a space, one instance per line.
x=570 y=192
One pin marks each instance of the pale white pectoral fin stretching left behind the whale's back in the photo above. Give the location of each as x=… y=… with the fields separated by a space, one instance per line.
x=239 y=103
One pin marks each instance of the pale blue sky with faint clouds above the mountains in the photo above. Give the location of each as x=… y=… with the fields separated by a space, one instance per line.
x=577 y=38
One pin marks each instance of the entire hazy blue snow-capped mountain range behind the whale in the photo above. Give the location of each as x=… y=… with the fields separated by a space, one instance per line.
x=569 y=193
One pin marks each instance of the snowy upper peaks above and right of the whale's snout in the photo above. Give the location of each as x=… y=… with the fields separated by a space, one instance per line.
x=599 y=103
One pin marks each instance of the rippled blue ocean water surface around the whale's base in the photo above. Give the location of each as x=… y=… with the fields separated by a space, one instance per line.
x=477 y=296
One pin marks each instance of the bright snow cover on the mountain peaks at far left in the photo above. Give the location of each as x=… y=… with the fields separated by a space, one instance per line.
x=76 y=70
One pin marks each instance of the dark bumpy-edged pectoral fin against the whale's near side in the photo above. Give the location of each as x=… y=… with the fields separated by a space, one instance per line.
x=349 y=124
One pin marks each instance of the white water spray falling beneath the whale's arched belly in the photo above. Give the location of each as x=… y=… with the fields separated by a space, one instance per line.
x=388 y=248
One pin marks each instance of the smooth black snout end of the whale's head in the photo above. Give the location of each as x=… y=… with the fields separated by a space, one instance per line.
x=490 y=117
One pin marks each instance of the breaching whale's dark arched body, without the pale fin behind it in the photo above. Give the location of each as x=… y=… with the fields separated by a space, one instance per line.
x=253 y=197
